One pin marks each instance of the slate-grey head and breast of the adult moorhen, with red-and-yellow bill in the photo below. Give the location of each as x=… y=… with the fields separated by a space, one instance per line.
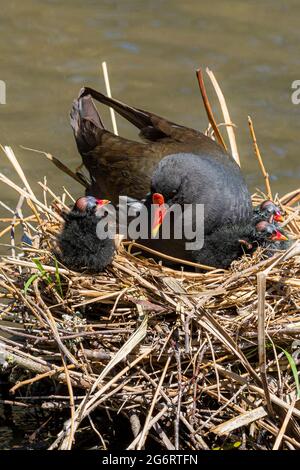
x=185 y=180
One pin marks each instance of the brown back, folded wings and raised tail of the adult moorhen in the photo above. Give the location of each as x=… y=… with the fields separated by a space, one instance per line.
x=120 y=166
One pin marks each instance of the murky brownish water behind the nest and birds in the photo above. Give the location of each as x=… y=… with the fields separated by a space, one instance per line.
x=50 y=48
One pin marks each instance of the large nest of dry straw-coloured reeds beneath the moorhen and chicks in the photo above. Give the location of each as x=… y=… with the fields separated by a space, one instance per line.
x=174 y=358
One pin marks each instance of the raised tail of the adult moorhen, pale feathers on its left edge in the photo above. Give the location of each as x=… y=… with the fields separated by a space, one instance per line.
x=86 y=123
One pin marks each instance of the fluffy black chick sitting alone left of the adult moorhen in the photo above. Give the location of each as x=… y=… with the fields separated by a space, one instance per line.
x=79 y=245
